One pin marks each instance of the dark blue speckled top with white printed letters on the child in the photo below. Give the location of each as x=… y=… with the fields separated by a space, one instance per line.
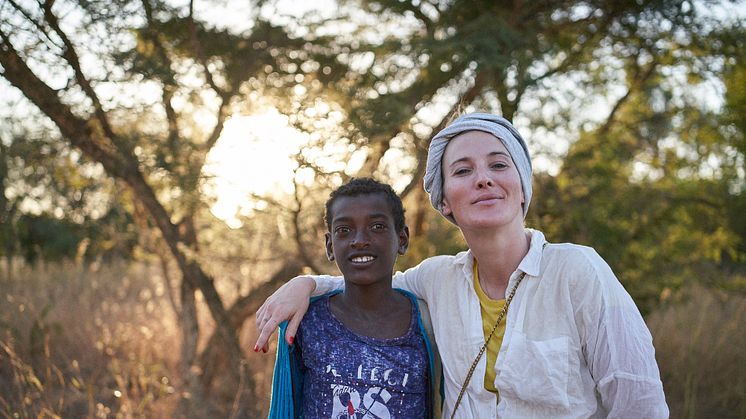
x=347 y=375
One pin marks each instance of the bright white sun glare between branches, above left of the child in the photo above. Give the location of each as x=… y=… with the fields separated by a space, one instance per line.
x=252 y=156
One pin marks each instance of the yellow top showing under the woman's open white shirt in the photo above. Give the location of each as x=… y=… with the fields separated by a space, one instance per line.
x=490 y=310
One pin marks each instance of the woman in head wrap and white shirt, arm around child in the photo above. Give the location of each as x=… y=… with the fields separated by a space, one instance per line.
x=524 y=328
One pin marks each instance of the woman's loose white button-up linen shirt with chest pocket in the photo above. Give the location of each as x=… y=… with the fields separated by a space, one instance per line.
x=575 y=344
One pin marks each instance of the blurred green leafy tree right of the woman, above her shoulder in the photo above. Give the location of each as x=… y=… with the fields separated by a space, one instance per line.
x=653 y=186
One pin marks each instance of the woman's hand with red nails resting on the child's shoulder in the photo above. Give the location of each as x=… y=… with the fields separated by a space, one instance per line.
x=289 y=302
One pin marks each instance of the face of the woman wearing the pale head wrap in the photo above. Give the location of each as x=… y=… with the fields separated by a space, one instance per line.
x=481 y=185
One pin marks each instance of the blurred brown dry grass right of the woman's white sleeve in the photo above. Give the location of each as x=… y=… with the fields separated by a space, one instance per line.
x=700 y=343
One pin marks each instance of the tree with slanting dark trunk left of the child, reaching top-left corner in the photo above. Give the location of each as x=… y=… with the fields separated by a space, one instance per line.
x=92 y=69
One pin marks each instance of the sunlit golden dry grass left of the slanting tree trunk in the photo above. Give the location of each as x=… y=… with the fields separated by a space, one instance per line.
x=81 y=343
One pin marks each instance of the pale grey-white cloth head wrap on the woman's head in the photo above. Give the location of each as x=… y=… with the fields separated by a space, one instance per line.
x=492 y=124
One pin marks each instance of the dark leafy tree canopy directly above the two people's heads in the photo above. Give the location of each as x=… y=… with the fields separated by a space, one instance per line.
x=383 y=84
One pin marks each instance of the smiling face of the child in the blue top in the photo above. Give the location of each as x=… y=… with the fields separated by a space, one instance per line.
x=363 y=239
